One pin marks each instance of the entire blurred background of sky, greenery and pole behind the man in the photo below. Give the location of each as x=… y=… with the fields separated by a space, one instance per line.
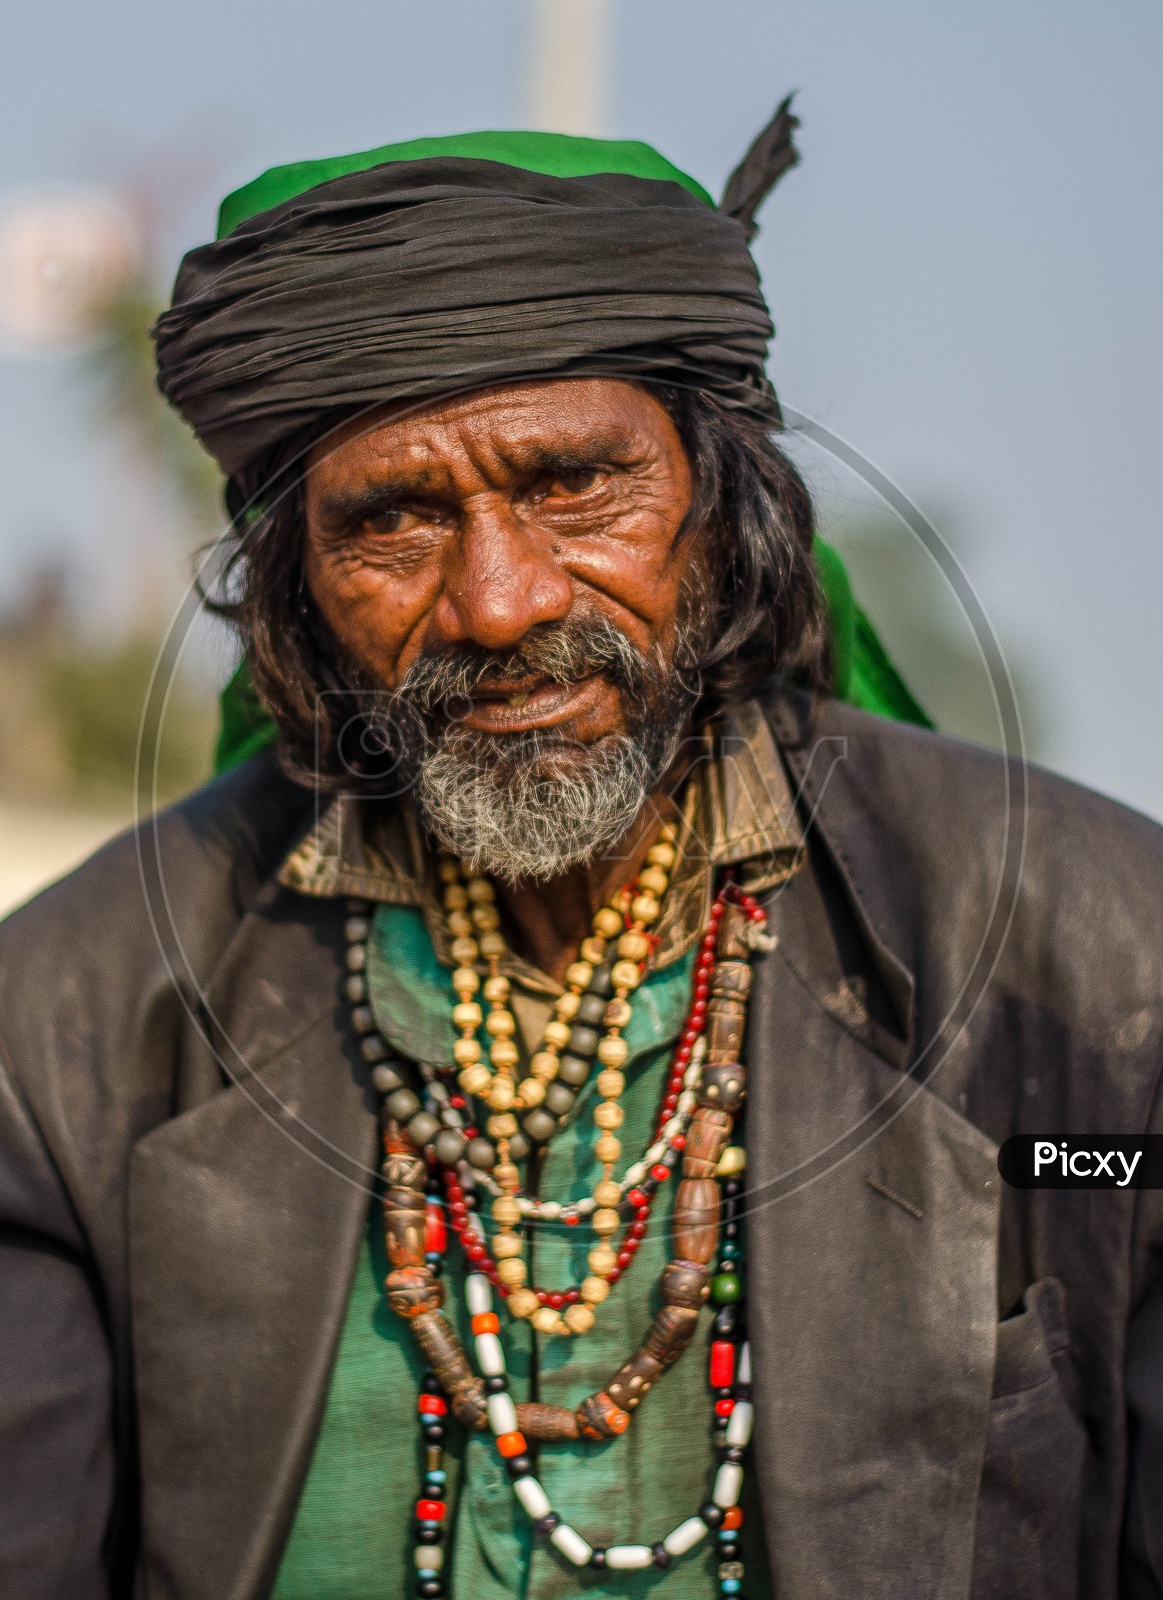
x=965 y=278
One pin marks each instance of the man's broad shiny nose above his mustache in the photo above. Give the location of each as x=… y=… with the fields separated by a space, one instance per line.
x=503 y=580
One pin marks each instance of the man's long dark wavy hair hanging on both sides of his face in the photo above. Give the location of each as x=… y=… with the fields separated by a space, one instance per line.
x=746 y=494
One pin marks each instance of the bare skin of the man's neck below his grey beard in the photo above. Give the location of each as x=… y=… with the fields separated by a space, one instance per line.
x=550 y=921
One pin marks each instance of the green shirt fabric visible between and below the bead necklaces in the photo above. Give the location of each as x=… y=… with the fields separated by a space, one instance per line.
x=353 y=1535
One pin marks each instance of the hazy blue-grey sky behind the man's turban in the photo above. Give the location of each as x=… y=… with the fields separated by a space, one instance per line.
x=965 y=270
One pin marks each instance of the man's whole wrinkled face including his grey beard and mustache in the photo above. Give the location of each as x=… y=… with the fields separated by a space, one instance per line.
x=508 y=569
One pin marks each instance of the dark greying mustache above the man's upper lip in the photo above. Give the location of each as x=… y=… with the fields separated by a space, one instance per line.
x=567 y=652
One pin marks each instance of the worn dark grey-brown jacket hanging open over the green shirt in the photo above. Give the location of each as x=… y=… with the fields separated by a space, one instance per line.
x=959 y=1390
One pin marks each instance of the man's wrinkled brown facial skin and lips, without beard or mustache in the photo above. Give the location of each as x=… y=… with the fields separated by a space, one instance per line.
x=481 y=519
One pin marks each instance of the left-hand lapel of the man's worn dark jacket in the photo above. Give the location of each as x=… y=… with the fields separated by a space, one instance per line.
x=246 y=1218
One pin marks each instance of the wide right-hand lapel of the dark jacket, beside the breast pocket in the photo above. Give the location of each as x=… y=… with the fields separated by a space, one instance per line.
x=873 y=1276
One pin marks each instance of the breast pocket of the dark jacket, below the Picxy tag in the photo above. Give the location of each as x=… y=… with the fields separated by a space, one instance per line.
x=1029 y=1513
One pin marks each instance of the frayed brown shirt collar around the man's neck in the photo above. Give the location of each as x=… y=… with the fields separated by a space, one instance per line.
x=737 y=810
